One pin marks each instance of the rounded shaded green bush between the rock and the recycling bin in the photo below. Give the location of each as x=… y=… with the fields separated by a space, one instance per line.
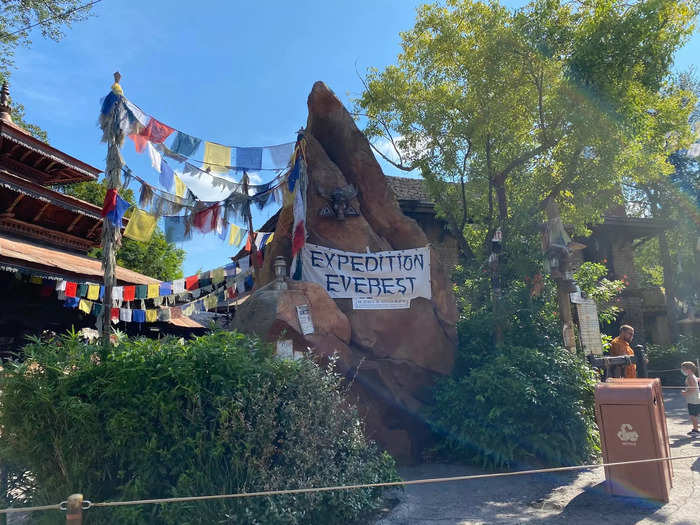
x=518 y=406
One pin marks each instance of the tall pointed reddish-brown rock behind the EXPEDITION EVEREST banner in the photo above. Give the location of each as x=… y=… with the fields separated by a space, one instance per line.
x=400 y=353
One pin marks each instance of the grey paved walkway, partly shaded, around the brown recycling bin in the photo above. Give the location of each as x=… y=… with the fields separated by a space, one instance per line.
x=571 y=498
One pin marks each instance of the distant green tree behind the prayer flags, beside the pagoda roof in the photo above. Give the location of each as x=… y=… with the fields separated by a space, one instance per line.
x=156 y=258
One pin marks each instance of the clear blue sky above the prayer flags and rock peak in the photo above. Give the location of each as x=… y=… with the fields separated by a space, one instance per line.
x=231 y=72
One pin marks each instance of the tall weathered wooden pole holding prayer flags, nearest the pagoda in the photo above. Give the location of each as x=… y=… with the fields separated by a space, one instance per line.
x=111 y=234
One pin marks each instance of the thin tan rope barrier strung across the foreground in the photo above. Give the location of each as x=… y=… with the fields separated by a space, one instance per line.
x=88 y=504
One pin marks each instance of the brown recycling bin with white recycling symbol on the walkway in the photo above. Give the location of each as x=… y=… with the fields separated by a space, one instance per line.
x=632 y=427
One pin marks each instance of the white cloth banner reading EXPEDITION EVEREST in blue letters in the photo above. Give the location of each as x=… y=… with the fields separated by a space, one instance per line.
x=401 y=274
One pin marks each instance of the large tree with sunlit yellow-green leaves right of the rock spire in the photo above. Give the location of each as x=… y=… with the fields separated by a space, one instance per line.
x=514 y=116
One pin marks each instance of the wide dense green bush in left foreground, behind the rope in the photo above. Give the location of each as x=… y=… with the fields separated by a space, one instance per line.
x=155 y=419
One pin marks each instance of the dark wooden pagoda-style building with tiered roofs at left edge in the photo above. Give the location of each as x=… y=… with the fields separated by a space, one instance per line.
x=45 y=236
